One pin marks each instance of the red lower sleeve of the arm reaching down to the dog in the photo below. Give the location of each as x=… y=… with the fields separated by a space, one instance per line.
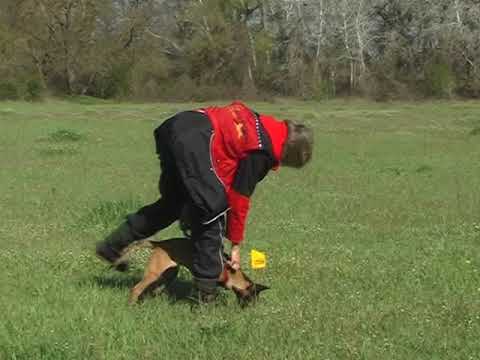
x=237 y=216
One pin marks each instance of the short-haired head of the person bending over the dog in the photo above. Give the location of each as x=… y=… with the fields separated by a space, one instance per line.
x=298 y=147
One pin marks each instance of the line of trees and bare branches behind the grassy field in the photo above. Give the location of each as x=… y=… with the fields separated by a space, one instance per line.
x=205 y=49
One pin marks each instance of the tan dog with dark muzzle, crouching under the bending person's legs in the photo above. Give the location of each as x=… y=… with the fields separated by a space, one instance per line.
x=162 y=269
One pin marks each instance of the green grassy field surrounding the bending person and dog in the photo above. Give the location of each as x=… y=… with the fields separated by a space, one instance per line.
x=373 y=249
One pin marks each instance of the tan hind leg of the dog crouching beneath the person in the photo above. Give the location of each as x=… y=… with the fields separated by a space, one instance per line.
x=161 y=270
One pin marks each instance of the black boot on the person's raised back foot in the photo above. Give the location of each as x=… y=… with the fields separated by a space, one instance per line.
x=111 y=249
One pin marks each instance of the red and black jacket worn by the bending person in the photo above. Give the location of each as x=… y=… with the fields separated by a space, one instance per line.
x=244 y=147
